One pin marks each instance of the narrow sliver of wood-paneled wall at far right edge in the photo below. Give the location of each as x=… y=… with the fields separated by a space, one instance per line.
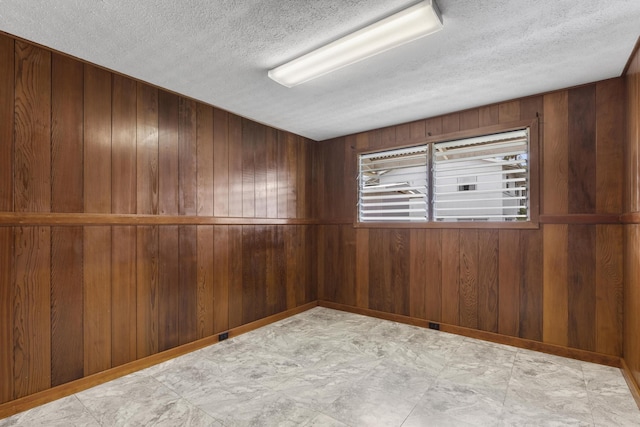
x=632 y=226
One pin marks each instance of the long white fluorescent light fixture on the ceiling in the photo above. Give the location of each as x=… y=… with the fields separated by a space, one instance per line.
x=403 y=27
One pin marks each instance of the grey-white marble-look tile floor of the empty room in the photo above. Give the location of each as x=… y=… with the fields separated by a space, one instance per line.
x=330 y=368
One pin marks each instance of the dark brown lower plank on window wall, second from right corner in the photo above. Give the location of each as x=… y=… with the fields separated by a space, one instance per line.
x=582 y=286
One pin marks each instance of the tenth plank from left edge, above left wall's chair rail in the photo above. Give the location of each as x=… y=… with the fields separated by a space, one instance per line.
x=220 y=163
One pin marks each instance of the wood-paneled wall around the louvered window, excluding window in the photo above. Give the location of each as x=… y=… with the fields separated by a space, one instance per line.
x=559 y=284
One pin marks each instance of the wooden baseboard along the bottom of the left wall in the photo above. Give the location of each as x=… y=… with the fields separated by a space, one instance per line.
x=22 y=404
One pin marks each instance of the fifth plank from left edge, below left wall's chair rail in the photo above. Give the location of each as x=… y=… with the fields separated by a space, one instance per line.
x=123 y=295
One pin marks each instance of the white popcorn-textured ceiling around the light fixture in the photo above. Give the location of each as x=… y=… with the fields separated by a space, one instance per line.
x=219 y=51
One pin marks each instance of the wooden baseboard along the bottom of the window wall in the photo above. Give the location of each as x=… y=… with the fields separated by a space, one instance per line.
x=587 y=356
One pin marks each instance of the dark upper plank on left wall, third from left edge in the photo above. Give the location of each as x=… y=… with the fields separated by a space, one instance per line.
x=67 y=166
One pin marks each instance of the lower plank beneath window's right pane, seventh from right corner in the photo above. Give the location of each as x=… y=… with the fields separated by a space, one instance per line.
x=468 y=278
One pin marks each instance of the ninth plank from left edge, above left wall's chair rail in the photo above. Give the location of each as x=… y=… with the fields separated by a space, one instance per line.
x=204 y=159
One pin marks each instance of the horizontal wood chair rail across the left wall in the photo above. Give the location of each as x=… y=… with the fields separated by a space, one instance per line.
x=79 y=219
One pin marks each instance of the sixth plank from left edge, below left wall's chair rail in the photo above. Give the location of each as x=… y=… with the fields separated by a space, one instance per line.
x=147 y=295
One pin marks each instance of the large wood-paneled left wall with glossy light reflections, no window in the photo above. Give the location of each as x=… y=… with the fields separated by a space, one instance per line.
x=160 y=221
